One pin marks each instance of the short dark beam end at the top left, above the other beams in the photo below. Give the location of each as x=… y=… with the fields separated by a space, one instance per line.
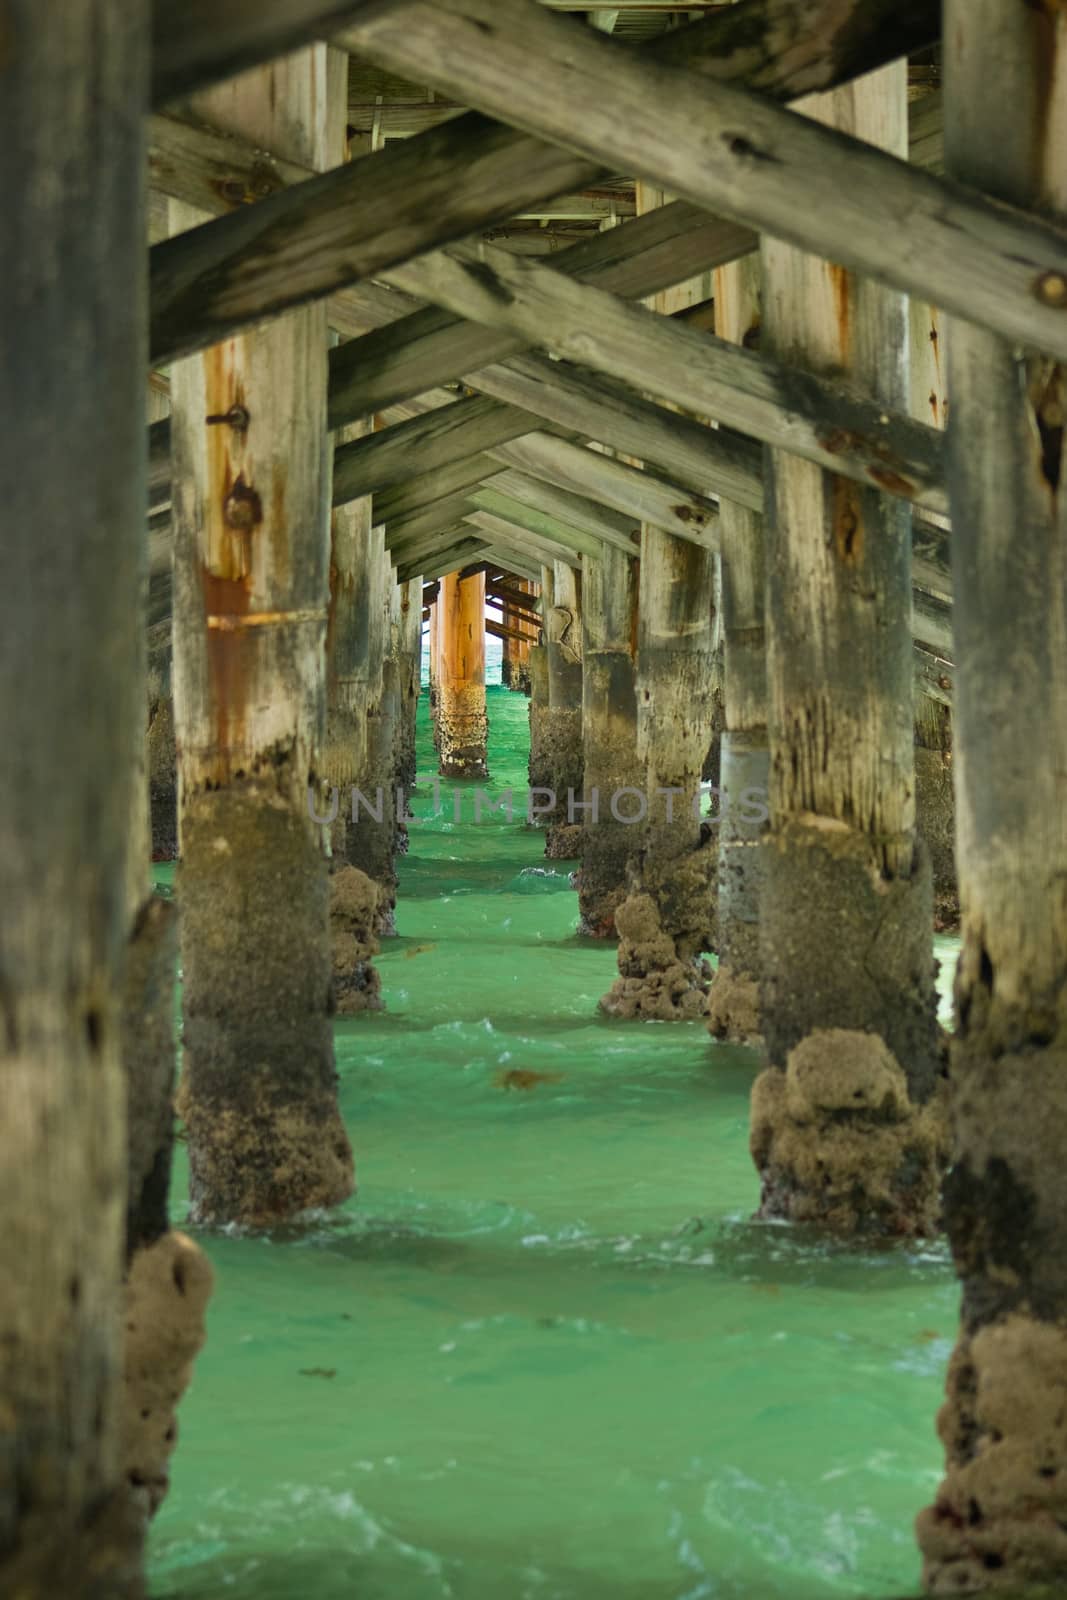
x=201 y=42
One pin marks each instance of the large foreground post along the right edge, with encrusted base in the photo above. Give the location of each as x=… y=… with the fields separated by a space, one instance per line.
x=1001 y=1516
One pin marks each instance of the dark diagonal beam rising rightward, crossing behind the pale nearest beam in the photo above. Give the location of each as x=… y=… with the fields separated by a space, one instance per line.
x=462 y=175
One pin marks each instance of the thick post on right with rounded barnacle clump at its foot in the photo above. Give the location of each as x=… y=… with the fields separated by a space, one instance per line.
x=845 y=1119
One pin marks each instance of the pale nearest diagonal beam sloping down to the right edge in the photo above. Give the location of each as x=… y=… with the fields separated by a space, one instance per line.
x=986 y=262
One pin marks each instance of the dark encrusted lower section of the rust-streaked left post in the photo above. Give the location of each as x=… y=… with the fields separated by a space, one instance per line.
x=258 y=1090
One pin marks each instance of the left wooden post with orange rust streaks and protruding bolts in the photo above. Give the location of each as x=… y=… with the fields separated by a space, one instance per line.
x=252 y=553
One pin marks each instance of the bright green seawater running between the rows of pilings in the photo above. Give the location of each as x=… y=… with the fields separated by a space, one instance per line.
x=545 y=1354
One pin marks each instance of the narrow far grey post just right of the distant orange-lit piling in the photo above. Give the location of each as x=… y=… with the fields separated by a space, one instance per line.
x=564 y=726
